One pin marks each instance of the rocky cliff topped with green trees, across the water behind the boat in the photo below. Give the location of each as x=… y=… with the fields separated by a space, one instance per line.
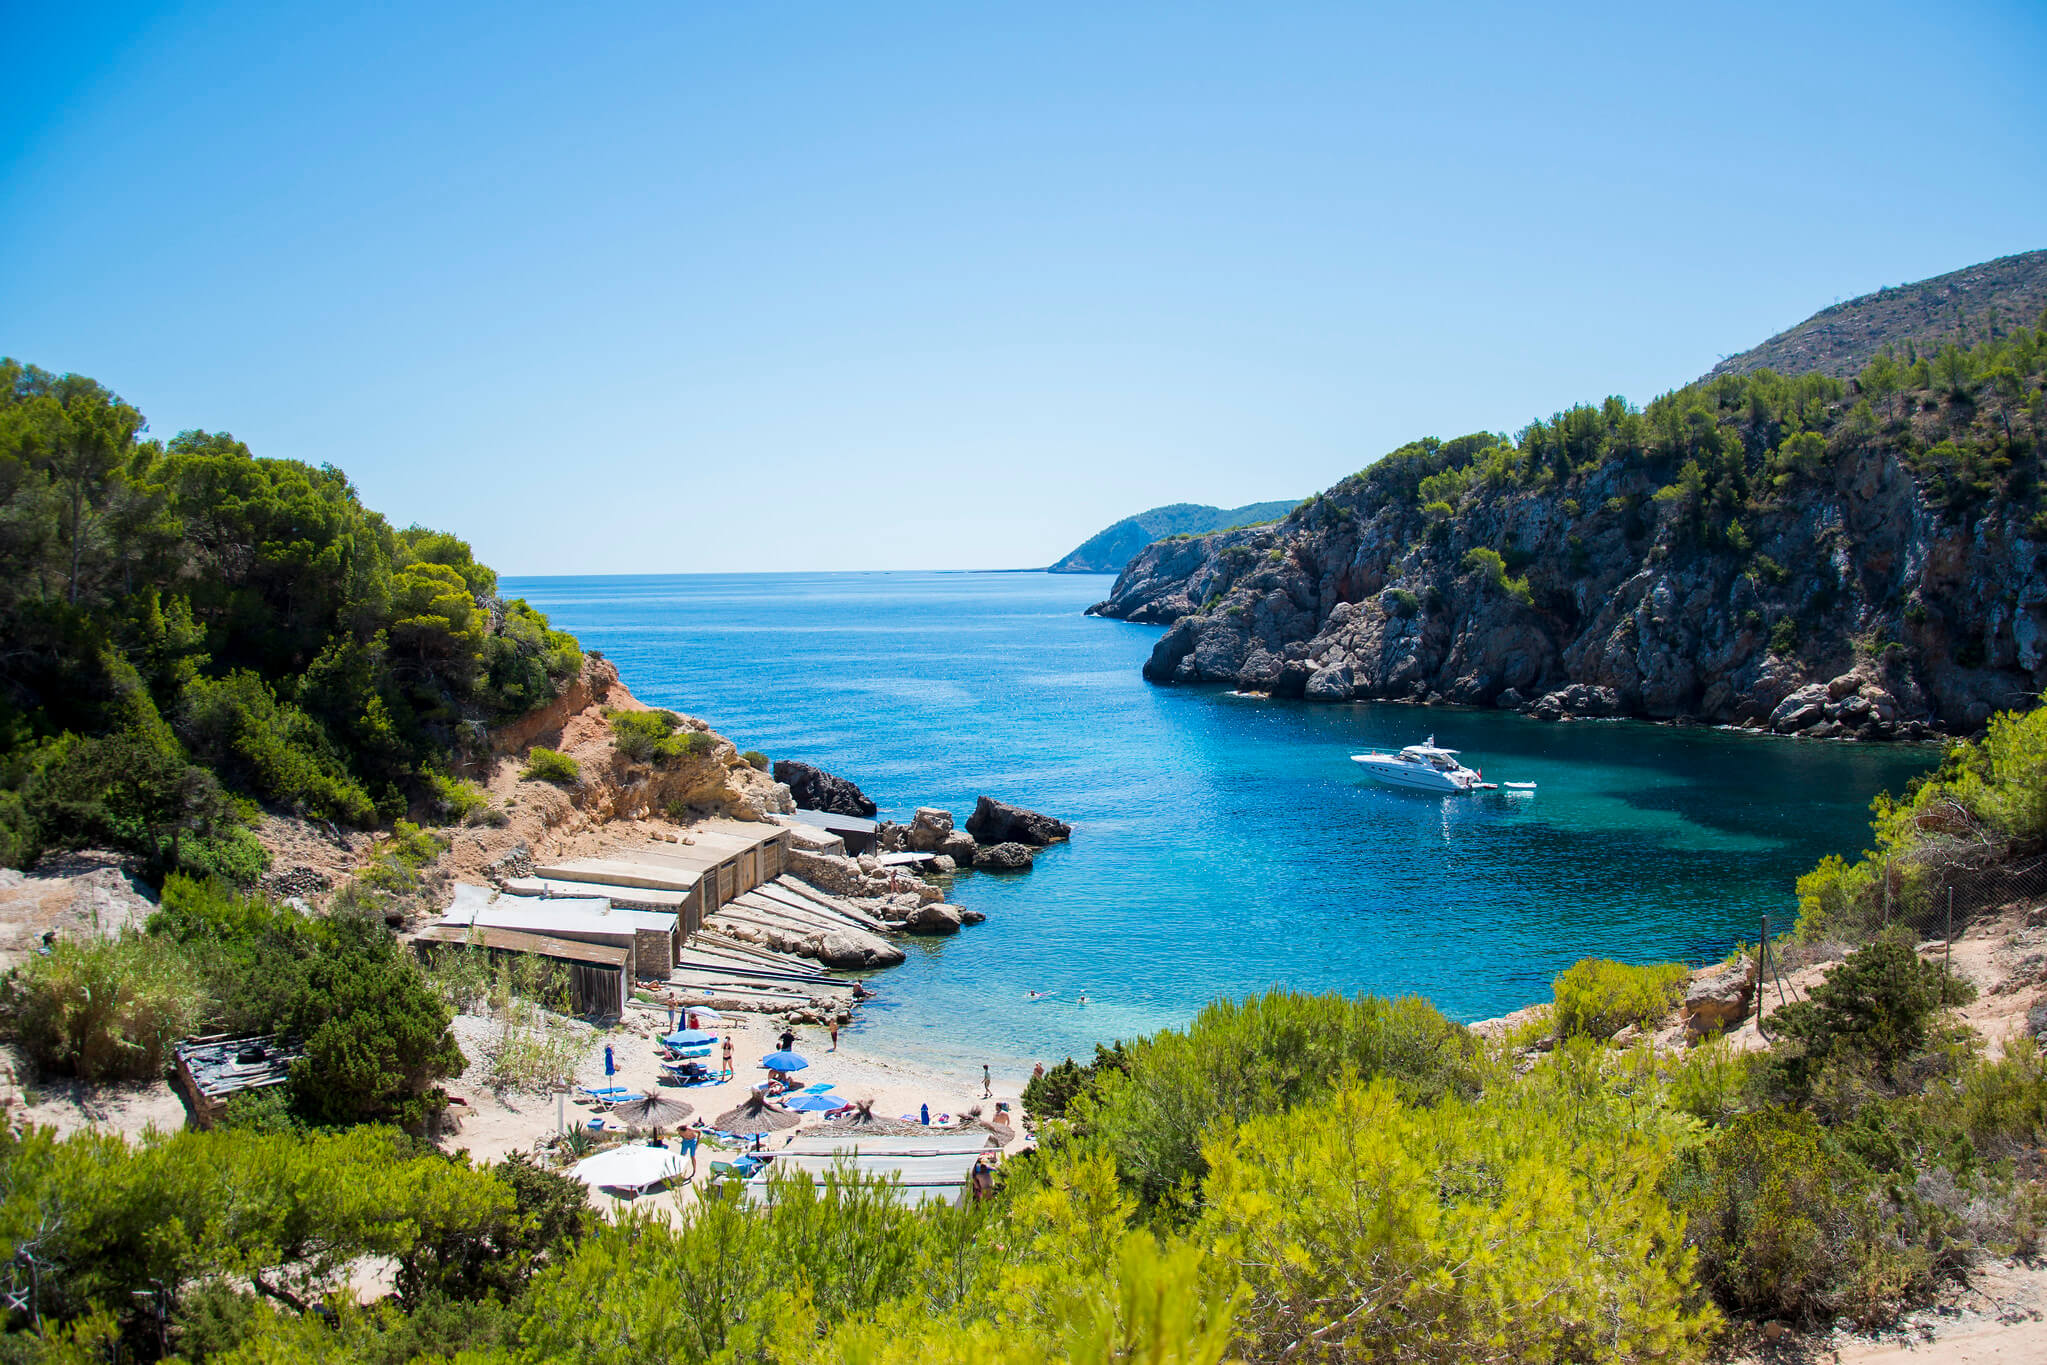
x=1811 y=556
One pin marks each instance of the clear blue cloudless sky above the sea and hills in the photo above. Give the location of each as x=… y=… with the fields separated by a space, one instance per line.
x=697 y=288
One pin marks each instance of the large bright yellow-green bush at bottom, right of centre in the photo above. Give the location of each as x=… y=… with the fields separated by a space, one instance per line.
x=1381 y=1229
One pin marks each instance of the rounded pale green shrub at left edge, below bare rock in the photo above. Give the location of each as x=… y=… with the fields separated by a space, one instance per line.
x=103 y=1010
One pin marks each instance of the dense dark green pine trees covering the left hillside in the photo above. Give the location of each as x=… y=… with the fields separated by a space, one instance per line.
x=193 y=629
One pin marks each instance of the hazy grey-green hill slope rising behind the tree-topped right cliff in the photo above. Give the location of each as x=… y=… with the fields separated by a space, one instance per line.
x=1960 y=308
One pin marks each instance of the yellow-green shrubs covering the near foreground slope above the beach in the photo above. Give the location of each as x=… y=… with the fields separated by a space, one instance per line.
x=1287 y=1180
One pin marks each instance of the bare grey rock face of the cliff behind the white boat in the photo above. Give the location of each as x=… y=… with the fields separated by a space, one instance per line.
x=1856 y=605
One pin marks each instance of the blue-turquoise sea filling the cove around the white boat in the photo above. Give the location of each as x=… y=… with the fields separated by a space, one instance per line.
x=1221 y=844
